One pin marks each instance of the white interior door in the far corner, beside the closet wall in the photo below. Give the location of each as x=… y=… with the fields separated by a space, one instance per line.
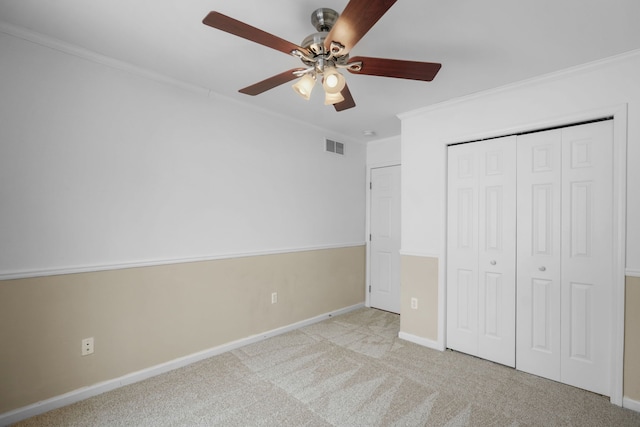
x=384 y=271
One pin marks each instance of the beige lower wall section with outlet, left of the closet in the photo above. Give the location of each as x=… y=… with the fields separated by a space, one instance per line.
x=419 y=279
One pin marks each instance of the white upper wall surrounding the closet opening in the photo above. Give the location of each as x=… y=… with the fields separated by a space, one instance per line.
x=561 y=98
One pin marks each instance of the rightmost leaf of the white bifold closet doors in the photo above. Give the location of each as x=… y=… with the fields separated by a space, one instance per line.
x=587 y=225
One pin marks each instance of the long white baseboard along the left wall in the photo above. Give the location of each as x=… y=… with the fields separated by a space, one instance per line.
x=86 y=392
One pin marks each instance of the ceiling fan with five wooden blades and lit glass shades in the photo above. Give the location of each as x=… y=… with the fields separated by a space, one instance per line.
x=325 y=52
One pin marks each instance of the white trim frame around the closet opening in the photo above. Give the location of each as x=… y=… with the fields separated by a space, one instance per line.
x=619 y=115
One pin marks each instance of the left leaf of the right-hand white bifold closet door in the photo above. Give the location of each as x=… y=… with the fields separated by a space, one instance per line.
x=538 y=253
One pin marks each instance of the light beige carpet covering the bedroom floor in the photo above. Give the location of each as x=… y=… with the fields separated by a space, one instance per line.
x=350 y=370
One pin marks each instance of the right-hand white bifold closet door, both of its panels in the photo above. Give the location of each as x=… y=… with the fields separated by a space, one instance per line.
x=564 y=263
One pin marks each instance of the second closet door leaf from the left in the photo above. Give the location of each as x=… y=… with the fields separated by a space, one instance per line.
x=497 y=251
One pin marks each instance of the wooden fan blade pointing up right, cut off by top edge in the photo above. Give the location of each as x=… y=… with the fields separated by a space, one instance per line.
x=355 y=21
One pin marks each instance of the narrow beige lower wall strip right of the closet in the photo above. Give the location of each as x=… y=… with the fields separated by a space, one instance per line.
x=632 y=339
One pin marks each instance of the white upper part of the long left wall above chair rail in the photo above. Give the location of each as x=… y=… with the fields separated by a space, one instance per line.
x=101 y=167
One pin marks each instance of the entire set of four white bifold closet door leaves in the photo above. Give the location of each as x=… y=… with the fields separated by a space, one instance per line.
x=542 y=304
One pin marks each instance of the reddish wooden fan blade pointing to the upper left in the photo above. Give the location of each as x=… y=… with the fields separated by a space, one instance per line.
x=240 y=29
